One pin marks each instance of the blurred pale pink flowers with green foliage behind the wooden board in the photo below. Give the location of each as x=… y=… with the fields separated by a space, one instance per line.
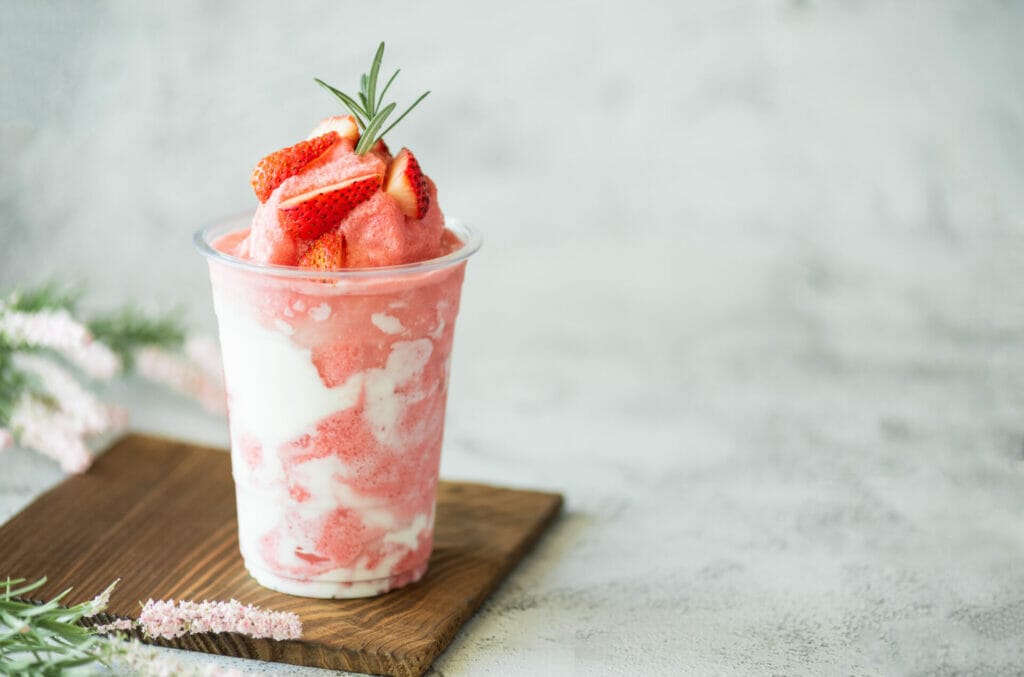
x=44 y=406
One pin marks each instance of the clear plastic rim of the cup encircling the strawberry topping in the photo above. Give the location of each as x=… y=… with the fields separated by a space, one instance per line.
x=209 y=234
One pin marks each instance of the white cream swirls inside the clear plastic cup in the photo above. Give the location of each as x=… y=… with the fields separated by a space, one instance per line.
x=277 y=396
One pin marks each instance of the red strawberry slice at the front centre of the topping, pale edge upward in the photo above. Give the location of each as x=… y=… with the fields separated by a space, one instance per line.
x=312 y=215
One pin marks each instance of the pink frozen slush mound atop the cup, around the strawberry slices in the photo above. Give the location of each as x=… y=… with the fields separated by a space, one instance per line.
x=376 y=233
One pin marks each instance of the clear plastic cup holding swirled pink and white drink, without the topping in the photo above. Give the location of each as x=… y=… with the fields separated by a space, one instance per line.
x=336 y=386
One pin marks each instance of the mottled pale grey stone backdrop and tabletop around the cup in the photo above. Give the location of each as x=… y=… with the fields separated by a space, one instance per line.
x=750 y=294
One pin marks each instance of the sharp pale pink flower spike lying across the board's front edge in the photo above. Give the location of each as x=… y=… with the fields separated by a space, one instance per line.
x=169 y=620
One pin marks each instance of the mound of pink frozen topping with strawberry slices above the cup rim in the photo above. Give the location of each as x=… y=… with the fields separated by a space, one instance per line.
x=327 y=207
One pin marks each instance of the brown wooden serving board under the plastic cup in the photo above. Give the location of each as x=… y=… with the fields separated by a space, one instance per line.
x=160 y=516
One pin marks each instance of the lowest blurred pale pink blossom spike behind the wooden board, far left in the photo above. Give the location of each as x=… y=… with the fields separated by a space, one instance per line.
x=51 y=432
